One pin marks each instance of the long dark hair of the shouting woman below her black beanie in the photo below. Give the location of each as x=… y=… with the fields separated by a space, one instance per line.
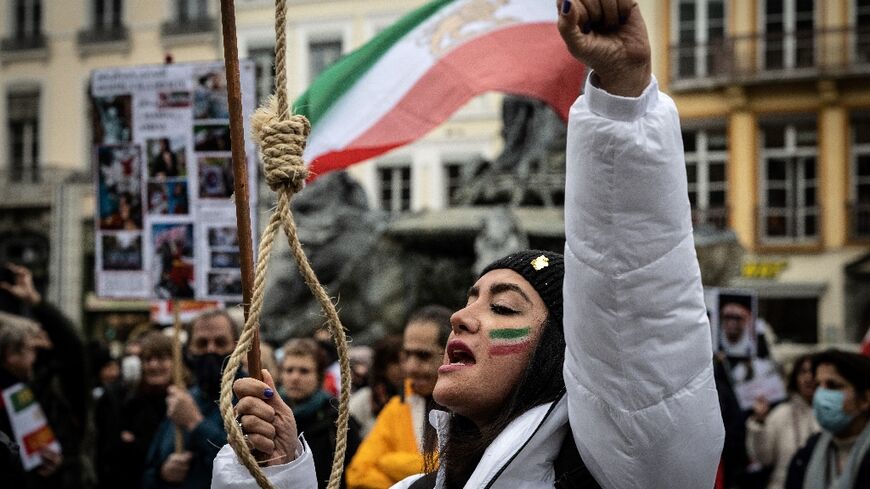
x=541 y=382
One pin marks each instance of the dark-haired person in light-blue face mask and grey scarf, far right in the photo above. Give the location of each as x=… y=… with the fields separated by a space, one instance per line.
x=839 y=456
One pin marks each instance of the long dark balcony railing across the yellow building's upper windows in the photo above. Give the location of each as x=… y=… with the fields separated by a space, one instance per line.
x=772 y=56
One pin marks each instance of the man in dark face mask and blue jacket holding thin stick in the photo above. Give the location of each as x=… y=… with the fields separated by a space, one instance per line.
x=213 y=337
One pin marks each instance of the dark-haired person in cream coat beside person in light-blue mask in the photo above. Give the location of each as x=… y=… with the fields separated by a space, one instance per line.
x=773 y=436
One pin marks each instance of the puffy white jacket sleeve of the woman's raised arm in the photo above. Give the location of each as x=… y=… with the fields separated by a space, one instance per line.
x=638 y=365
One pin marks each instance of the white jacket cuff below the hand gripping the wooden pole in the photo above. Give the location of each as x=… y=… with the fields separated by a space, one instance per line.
x=229 y=473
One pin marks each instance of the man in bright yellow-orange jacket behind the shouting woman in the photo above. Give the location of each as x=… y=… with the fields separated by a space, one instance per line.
x=393 y=449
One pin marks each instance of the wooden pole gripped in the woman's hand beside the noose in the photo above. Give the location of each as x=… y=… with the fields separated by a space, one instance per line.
x=240 y=173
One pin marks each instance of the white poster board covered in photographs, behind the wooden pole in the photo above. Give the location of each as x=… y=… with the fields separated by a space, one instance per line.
x=165 y=215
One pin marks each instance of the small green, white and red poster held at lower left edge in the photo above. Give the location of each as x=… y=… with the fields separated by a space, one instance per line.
x=29 y=425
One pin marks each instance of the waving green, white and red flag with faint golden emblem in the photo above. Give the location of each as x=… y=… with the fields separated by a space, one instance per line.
x=419 y=71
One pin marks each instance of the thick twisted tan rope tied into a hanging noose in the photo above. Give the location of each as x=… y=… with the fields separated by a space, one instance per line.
x=282 y=142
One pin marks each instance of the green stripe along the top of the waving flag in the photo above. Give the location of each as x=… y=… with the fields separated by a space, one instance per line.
x=338 y=78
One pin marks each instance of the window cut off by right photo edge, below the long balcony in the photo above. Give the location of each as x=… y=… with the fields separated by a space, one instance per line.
x=860 y=140
